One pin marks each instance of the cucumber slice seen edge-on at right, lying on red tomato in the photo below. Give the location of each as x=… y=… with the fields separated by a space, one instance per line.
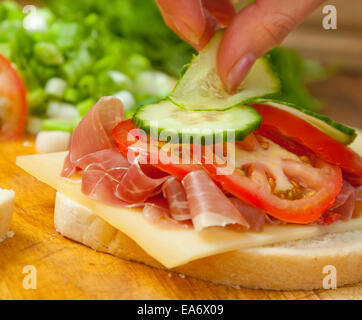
x=335 y=130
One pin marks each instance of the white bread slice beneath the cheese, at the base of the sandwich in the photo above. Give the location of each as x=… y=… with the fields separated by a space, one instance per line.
x=295 y=265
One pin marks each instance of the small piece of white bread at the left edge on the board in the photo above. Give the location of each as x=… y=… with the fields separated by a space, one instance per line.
x=6 y=212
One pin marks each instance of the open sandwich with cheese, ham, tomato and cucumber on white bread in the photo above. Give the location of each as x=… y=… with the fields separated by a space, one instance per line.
x=241 y=189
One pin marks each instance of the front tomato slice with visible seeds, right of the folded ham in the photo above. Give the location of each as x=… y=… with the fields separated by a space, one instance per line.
x=319 y=186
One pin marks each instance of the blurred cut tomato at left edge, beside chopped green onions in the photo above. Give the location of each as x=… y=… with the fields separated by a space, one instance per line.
x=12 y=102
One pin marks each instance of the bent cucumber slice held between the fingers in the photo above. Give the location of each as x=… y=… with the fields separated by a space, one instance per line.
x=200 y=87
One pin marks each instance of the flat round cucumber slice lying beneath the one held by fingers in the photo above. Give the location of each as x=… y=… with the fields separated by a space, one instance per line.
x=176 y=125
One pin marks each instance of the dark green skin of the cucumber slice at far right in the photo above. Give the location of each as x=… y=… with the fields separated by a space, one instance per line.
x=349 y=132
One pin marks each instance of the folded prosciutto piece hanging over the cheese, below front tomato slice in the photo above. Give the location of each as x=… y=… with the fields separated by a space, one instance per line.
x=209 y=206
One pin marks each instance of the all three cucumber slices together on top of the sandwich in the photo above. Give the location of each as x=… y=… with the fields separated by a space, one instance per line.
x=200 y=101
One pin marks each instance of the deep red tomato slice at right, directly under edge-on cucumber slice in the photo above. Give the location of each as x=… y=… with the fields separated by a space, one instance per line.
x=278 y=124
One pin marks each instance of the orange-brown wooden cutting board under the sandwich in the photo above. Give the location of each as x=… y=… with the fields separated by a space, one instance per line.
x=68 y=270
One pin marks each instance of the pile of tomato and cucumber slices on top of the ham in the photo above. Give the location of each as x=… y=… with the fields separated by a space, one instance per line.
x=292 y=164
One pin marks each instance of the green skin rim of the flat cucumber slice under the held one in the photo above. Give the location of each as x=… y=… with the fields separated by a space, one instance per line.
x=239 y=134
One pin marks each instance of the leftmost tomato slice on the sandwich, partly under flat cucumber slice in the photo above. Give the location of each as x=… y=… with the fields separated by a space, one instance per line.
x=132 y=143
